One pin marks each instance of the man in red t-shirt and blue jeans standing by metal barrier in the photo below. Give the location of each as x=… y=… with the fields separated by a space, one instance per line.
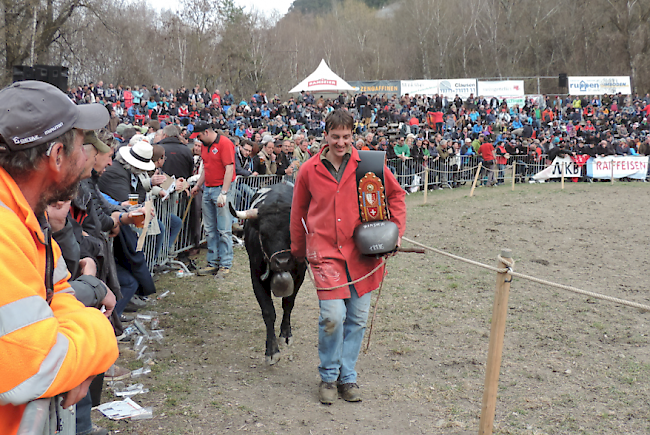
x=218 y=154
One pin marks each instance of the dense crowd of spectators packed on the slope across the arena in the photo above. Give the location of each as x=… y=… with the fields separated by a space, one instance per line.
x=275 y=136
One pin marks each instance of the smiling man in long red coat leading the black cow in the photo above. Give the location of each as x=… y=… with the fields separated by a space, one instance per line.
x=325 y=201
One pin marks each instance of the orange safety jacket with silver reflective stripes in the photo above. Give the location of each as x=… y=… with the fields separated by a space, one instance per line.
x=45 y=350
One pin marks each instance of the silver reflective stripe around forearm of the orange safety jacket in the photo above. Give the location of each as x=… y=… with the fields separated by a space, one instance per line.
x=38 y=384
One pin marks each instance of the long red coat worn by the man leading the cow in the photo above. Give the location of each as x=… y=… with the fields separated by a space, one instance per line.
x=331 y=212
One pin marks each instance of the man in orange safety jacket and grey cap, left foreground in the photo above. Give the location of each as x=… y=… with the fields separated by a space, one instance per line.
x=51 y=346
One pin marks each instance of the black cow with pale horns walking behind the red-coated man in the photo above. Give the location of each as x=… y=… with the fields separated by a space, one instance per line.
x=273 y=269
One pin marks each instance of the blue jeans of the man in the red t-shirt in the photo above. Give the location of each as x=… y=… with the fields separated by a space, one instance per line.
x=217 y=222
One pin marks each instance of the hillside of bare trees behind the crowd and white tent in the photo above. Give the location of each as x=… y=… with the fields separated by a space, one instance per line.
x=216 y=44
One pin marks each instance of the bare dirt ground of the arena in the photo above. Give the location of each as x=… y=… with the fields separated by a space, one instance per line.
x=571 y=364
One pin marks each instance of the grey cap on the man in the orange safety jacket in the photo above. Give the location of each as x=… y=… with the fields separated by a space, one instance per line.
x=33 y=113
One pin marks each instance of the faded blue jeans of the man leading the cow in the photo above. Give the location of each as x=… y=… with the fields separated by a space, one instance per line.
x=341 y=326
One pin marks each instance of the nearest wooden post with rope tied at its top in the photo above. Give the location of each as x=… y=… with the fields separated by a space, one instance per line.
x=495 y=349
